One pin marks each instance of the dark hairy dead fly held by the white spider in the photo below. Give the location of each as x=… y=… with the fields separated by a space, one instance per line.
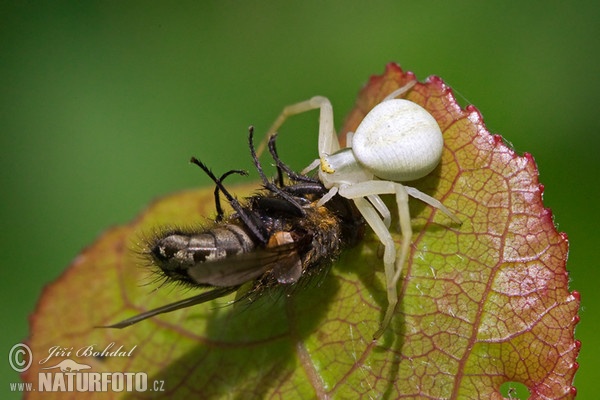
x=278 y=236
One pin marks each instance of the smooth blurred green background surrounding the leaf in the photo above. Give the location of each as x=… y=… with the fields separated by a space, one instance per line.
x=103 y=103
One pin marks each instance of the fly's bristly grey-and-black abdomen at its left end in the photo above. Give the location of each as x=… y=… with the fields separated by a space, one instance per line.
x=177 y=252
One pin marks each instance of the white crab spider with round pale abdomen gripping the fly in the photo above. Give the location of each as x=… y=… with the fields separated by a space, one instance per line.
x=397 y=141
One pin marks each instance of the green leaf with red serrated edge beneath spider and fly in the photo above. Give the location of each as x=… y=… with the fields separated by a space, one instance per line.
x=482 y=304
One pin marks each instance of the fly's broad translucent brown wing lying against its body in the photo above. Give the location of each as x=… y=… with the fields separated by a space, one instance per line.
x=245 y=267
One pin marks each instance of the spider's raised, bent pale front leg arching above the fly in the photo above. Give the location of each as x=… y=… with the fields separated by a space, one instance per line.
x=328 y=140
